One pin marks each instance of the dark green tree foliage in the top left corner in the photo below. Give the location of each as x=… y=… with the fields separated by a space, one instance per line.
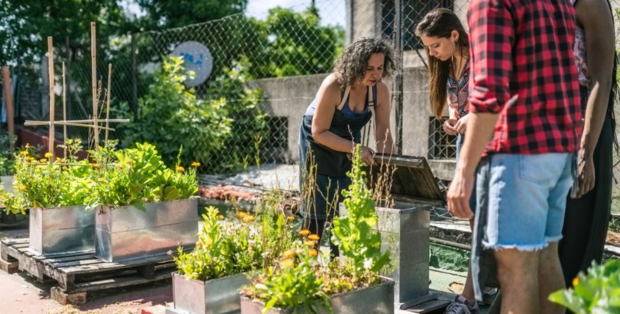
x=25 y=25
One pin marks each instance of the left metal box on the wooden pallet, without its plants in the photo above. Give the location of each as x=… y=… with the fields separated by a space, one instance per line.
x=62 y=230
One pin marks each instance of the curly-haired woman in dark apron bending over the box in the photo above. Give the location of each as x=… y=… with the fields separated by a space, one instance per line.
x=332 y=126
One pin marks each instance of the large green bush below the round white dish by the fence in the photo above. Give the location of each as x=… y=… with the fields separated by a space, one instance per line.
x=171 y=116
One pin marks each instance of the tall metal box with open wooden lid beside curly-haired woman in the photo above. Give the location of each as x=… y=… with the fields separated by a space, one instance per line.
x=405 y=228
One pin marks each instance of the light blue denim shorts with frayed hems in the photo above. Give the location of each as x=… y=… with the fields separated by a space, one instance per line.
x=525 y=199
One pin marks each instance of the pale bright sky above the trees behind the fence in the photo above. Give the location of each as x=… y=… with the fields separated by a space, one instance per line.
x=332 y=12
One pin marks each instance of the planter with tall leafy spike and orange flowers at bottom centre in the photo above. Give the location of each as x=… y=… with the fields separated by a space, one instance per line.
x=351 y=284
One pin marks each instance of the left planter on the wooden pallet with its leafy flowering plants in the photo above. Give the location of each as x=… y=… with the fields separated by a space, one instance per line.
x=57 y=194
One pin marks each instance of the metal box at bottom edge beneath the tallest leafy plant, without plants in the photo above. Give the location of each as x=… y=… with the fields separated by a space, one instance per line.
x=378 y=299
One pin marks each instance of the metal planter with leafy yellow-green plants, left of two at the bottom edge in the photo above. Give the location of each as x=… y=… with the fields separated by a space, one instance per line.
x=210 y=276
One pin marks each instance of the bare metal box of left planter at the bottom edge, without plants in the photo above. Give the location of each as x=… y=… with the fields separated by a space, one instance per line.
x=217 y=296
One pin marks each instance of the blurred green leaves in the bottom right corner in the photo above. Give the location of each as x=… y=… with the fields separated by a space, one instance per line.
x=598 y=291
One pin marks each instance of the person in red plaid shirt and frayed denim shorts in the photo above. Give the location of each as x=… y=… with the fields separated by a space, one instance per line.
x=525 y=98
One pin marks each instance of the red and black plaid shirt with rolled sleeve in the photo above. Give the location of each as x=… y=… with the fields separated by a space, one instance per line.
x=522 y=67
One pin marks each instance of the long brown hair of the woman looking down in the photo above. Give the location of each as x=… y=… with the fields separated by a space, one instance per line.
x=440 y=23
